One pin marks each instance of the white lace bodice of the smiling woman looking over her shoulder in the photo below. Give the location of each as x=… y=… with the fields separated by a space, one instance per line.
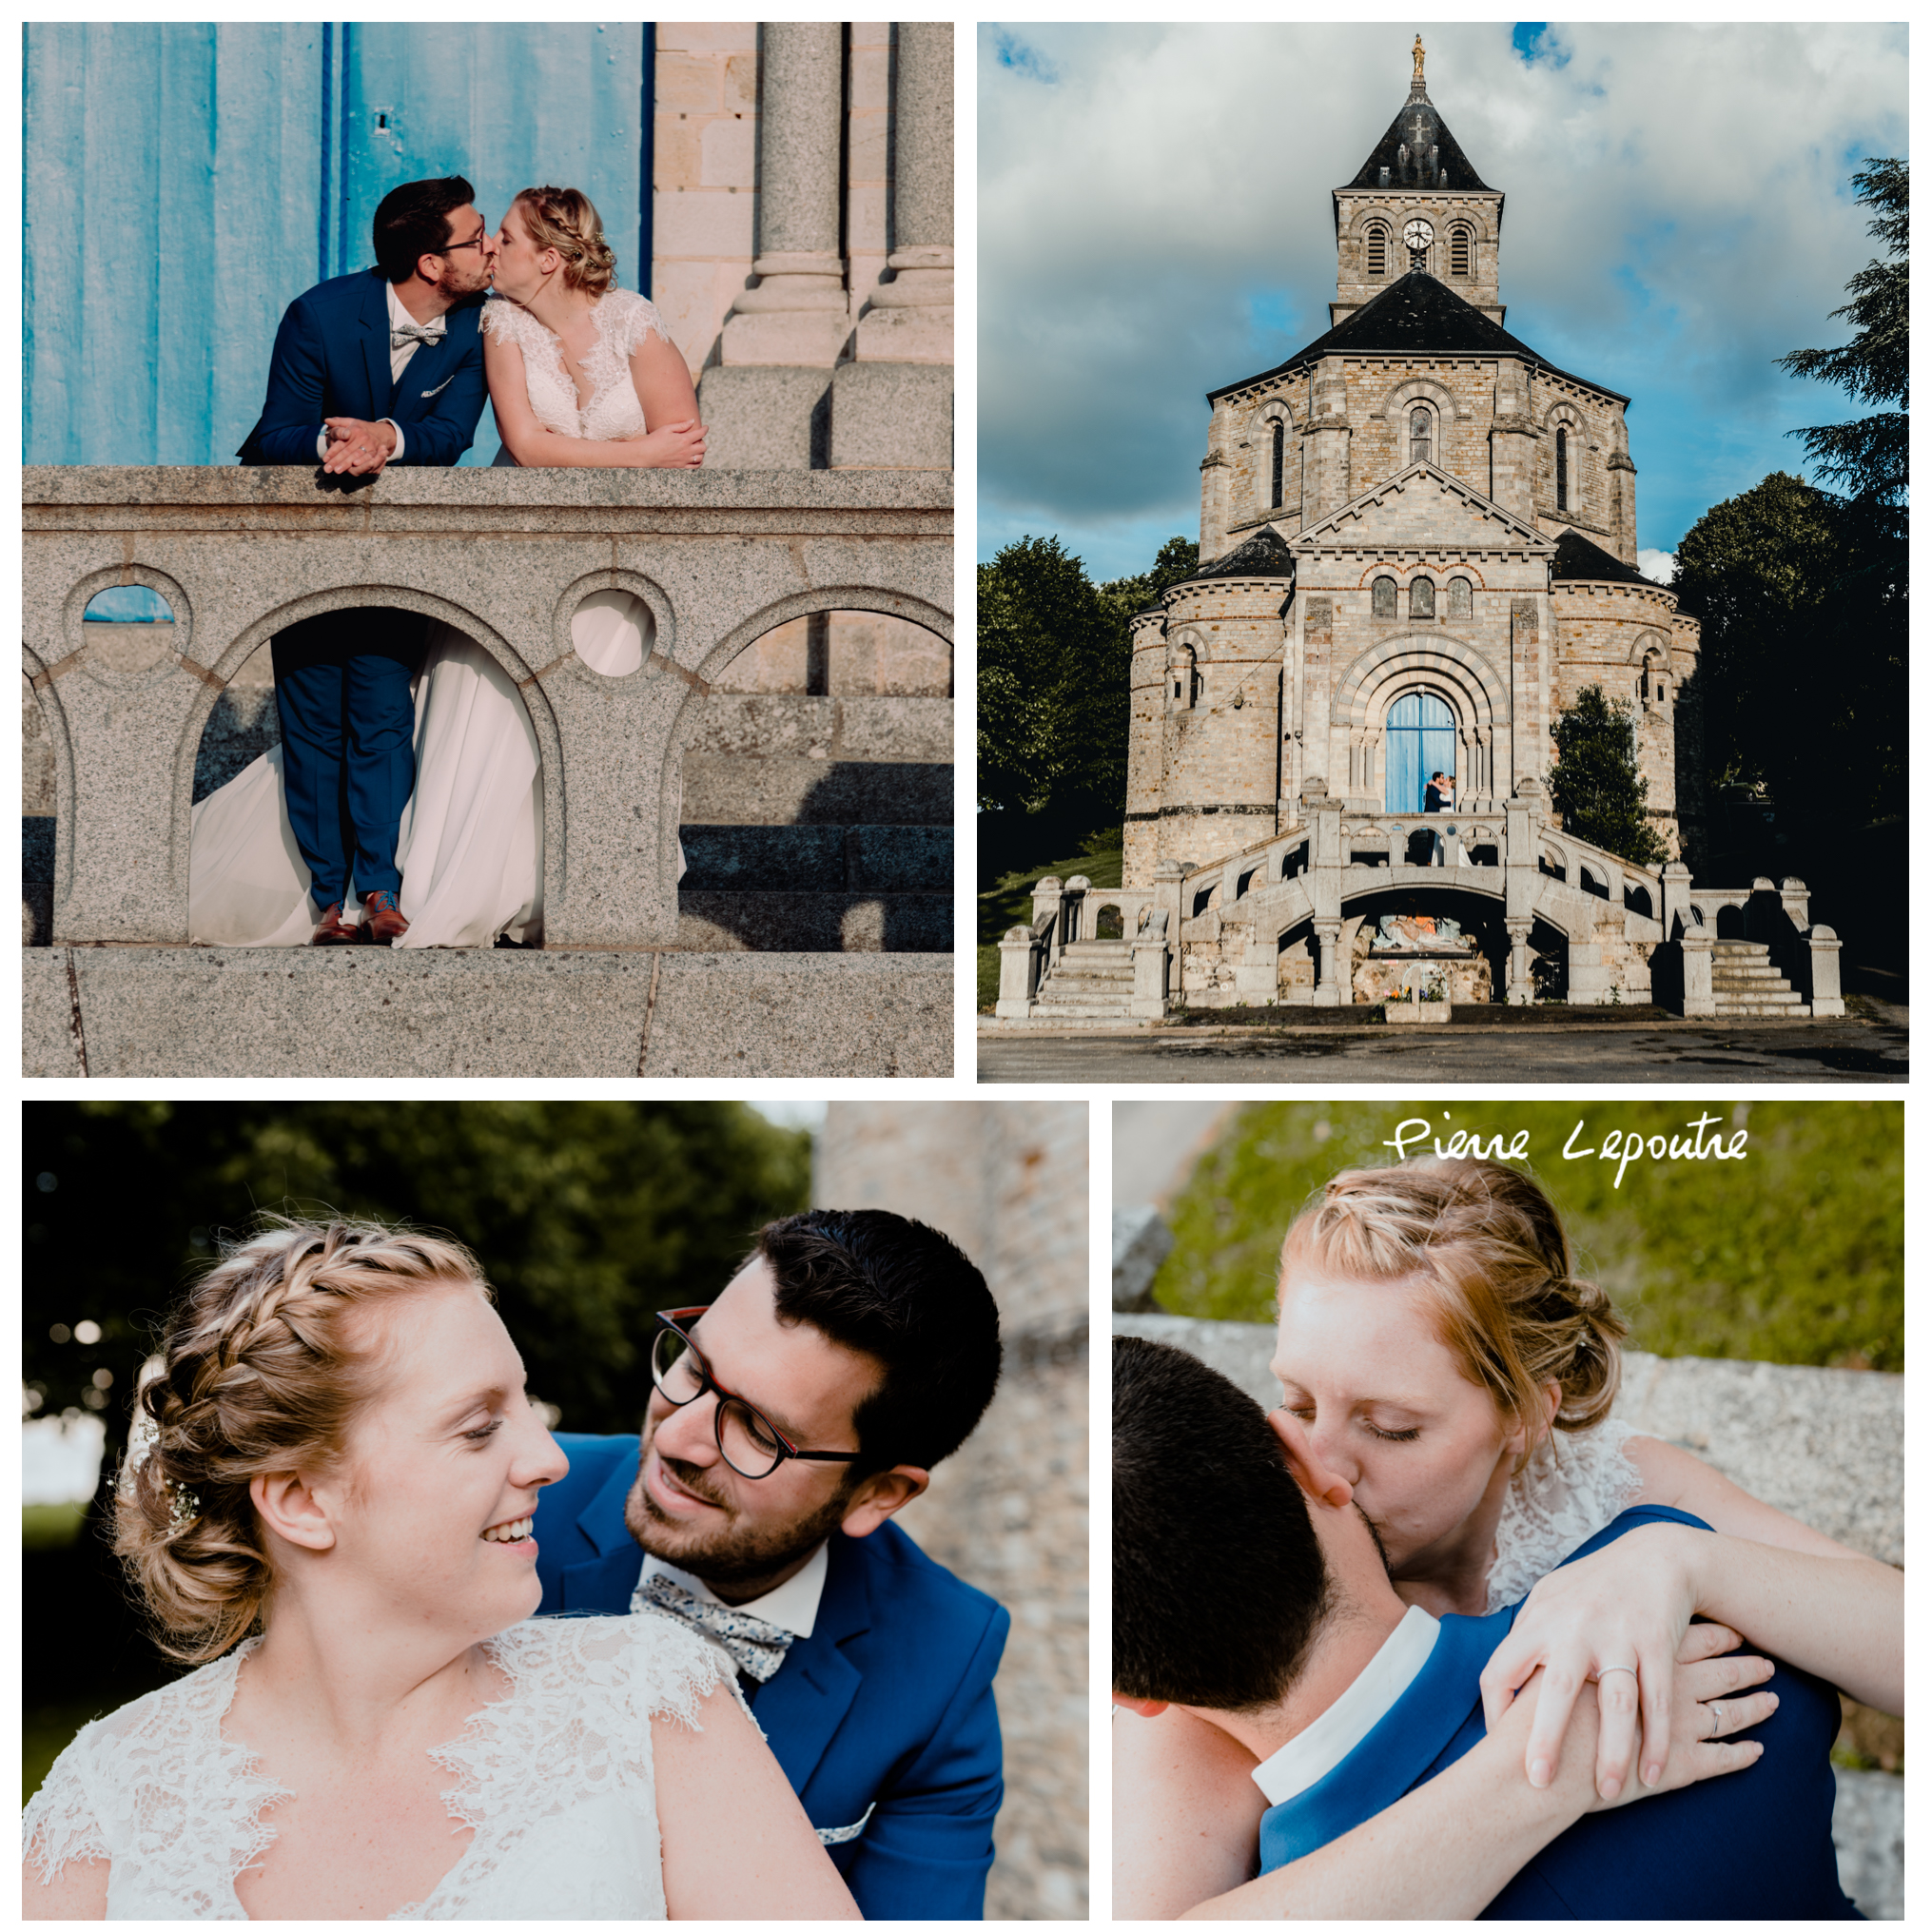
x=554 y=1780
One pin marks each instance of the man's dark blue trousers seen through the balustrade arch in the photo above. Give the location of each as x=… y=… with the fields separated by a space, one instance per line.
x=349 y=743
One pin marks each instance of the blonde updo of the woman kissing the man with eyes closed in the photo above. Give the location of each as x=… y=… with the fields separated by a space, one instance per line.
x=1489 y=1243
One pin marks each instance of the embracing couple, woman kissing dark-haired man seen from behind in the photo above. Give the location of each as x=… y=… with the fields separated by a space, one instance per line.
x=1469 y=1647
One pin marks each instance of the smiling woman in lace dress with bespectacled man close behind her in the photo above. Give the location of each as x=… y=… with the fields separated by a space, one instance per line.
x=453 y=1666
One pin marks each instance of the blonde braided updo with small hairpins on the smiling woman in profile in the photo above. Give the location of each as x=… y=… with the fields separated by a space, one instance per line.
x=262 y=1371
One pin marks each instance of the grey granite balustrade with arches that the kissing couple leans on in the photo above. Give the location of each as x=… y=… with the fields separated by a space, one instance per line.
x=505 y=555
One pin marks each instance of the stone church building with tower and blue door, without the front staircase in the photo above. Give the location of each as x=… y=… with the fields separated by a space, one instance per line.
x=1419 y=546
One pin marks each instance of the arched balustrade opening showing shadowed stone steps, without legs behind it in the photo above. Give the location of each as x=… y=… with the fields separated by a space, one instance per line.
x=818 y=789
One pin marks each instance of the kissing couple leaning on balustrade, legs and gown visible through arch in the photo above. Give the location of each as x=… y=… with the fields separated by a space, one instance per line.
x=405 y=801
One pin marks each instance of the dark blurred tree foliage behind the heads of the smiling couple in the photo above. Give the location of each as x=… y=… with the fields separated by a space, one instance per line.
x=588 y=1216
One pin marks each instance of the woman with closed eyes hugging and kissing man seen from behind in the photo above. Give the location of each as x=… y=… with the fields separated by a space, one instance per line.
x=1446 y=1371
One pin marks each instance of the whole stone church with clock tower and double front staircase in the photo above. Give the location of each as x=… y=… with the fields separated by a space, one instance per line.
x=1419 y=550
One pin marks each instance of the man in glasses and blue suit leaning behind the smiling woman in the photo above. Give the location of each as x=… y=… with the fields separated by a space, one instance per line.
x=791 y=1419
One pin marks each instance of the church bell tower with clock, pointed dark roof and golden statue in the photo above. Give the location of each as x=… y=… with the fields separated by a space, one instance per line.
x=1417 y=204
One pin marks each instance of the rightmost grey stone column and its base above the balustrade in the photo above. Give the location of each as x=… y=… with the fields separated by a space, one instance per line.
x=894 y=405
